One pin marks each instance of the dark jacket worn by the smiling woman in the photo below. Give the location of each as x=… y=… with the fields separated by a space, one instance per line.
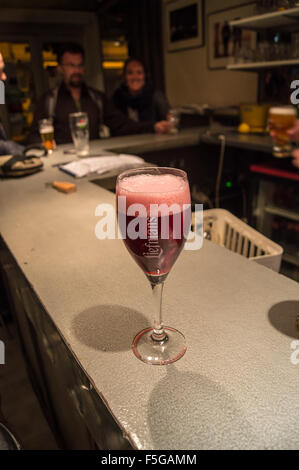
x=149 y=104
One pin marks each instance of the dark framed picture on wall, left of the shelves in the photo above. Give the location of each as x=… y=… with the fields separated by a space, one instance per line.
x=184 y=24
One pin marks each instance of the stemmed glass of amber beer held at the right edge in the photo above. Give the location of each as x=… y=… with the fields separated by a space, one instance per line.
x=281 y=119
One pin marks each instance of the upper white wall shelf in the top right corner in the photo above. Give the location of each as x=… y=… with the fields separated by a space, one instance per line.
x=273 y=19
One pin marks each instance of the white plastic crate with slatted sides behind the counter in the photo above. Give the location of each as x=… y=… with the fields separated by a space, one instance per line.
x=223 y=228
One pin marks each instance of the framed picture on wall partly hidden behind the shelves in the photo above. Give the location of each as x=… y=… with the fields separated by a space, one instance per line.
x=224 y=40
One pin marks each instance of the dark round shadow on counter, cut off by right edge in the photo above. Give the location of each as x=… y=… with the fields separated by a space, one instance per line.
x=284 y=317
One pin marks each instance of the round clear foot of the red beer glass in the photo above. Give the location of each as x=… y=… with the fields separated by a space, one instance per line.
x=148 y=350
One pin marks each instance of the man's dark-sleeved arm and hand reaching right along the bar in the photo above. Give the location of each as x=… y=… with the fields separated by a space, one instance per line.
x=119 y=124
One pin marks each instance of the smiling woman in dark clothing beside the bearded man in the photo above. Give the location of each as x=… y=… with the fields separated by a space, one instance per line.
x=137 y=98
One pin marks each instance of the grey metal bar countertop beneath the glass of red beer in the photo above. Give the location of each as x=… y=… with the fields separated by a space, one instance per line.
x=236 y=386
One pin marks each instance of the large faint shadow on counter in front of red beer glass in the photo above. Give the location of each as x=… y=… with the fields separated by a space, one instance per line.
x=197 y=413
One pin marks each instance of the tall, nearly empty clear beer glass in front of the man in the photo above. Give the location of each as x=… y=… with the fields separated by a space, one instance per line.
x=80 y=132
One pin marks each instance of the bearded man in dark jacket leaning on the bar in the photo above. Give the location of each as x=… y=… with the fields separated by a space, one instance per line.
x=74 y=95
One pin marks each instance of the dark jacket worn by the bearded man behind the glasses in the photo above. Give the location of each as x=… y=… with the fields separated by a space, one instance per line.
x=106 y=114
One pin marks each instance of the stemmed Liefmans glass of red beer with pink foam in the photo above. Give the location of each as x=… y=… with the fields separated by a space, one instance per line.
x=154 y=213
